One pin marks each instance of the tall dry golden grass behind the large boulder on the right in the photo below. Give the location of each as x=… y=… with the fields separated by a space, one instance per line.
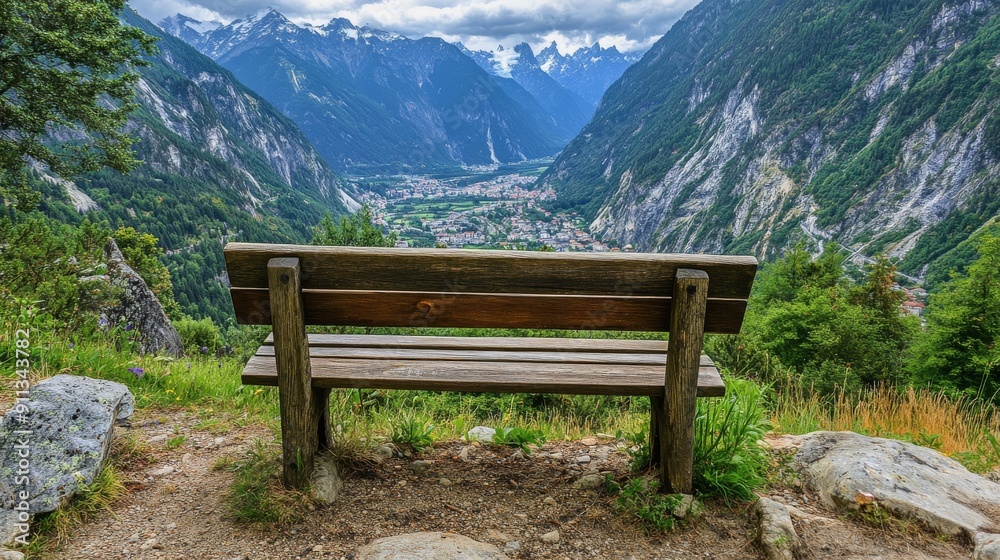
x=963 y=428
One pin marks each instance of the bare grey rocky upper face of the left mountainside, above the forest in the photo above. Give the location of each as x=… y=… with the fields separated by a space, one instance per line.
x=202 y=106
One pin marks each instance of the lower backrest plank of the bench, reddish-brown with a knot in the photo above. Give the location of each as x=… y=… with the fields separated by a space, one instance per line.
x=528 y=311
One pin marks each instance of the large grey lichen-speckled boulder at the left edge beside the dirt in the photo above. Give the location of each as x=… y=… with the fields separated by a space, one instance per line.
x=54 y=444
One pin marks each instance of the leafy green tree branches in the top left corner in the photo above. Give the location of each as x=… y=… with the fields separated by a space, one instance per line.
x=67 y=82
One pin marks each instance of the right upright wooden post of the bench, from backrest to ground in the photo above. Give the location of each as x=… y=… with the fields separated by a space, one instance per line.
x=676 y=424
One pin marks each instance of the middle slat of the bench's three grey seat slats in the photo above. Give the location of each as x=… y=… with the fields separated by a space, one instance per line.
x=462 y=355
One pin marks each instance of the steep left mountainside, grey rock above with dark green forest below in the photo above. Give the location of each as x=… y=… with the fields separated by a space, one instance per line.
x=219 y=163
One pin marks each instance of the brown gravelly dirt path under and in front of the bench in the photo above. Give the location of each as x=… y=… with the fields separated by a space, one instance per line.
x=485 y=493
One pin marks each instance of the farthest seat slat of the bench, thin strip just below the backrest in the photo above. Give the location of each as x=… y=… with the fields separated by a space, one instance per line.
x=485 y=343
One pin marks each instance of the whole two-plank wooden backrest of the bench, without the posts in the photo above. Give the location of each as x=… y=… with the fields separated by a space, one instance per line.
x=390 y=287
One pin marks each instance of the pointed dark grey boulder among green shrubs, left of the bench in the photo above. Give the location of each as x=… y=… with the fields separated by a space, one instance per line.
x=138 y=307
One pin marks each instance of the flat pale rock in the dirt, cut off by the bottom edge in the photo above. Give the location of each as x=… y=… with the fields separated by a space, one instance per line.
x=429 y=546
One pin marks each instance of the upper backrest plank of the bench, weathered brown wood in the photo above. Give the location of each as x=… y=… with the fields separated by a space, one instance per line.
x=443 y=271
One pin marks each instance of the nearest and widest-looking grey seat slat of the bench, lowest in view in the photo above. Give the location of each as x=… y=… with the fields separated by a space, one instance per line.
x=488 y=377
